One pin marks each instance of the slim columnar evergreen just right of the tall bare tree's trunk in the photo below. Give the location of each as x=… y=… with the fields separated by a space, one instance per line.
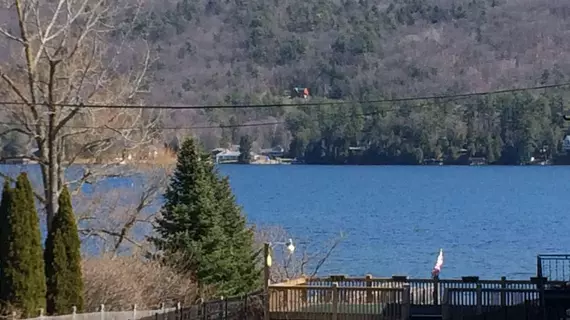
x=62 y=257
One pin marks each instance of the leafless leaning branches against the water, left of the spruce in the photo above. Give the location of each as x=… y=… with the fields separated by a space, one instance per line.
x=119 y=222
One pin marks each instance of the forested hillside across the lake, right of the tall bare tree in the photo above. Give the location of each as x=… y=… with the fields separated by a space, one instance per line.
x=255 y=51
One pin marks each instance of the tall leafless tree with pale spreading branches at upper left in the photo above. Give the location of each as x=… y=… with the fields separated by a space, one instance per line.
x=62 y=53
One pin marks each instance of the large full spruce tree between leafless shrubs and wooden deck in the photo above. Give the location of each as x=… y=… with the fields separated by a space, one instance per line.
x=192 y=232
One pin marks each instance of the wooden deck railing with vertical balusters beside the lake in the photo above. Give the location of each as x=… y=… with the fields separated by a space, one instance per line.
x=339 y=297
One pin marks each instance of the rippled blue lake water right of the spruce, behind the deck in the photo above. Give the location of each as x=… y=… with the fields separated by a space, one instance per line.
x=490 y=221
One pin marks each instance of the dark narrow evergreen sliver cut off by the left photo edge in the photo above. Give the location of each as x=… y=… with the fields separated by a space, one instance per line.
x=4 y=245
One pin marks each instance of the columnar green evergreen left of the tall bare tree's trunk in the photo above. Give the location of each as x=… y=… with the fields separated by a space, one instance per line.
x=23 y=270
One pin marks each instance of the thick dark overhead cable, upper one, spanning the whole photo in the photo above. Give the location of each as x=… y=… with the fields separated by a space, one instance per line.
x=307 y=104
